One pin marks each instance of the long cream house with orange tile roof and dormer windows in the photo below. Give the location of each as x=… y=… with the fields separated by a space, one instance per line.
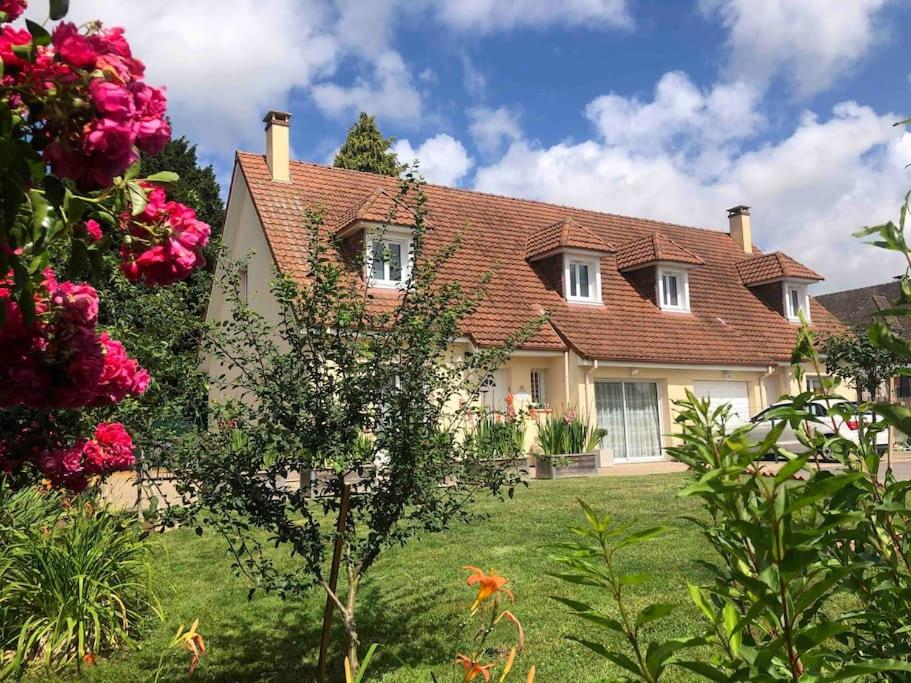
x=640 y=310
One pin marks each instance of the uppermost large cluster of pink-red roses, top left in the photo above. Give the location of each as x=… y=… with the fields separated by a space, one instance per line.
x=98 y=113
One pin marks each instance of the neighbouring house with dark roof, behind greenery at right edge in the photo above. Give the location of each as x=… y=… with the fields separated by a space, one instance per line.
x=857 y=308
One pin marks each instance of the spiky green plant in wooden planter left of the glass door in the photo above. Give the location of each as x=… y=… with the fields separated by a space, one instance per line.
x=568 y=446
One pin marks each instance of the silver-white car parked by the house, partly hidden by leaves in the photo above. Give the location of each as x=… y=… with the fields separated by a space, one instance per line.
x=830 y=425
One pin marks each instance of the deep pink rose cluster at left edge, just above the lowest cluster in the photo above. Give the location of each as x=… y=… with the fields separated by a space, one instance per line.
x=60 y=360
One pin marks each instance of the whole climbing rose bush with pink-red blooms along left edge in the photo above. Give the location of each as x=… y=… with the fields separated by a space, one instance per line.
x=75 y=113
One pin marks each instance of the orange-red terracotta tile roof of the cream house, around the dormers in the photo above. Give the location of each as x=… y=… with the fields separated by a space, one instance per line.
x=728 y=324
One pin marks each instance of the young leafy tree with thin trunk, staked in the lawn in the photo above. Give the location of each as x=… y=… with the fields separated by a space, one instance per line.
x=353 y=387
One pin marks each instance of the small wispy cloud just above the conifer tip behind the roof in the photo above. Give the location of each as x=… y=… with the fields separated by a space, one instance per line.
x=390 y=94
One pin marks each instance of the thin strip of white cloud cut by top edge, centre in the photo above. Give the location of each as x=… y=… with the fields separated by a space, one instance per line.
x=490 y=15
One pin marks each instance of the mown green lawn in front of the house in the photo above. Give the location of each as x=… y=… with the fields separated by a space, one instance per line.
x=414 y=597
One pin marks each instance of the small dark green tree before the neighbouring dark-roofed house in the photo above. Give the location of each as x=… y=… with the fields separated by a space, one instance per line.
x=853 y=357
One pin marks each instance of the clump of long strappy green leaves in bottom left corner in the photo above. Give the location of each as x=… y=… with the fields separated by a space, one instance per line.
x=74 y=580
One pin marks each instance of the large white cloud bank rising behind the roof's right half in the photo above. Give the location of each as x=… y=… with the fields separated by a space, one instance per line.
x=809 y=191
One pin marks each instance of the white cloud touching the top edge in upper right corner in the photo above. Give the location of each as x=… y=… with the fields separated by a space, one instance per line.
x=810 y=42
